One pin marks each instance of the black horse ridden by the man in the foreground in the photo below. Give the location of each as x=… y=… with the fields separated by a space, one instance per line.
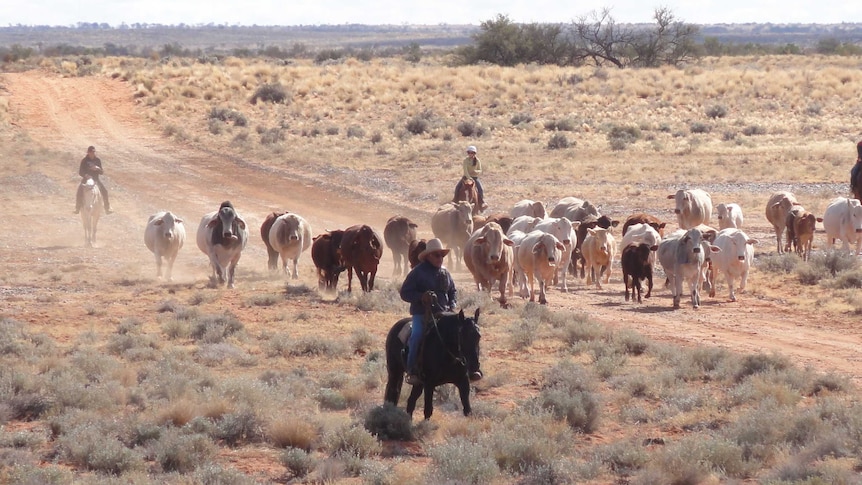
x=449 y=355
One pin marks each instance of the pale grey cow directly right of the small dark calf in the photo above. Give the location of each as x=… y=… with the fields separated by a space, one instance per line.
x=682 y=254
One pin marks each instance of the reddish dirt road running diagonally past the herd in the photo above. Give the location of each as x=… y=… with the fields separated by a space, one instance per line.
x=147 y=172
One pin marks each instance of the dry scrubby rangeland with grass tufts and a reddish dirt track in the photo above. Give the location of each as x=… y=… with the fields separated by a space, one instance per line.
x=108 y=370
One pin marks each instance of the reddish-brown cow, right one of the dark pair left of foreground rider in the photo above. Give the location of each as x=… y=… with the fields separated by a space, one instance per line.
x=361 y=249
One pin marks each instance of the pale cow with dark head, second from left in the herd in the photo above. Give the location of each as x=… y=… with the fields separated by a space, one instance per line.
x=222 y=235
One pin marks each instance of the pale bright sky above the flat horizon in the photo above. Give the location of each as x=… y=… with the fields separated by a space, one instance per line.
x=412 y=12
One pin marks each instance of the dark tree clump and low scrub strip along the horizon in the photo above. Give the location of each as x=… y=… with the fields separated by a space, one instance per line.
x=593 y=39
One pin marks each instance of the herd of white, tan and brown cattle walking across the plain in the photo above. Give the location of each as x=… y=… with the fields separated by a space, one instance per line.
x=528 y=247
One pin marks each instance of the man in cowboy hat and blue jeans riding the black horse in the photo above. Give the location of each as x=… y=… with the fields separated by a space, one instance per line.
x=428 y=275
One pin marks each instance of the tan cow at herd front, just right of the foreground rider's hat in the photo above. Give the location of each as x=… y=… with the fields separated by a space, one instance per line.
x=489 y=258
